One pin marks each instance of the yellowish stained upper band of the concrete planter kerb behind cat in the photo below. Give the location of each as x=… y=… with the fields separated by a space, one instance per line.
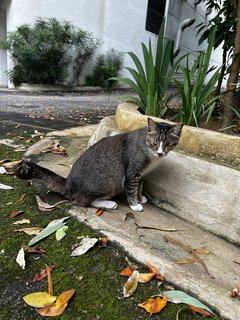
x=201 y=142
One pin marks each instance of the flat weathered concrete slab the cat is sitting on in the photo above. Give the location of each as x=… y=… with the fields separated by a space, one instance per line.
x=137 y=235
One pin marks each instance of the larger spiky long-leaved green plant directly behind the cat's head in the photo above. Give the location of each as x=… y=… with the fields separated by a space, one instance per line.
x=151 y=79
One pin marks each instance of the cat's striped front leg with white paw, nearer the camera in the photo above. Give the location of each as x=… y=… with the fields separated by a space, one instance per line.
x=132 y=193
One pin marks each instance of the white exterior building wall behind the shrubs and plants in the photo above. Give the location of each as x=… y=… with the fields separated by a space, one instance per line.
x=119 y=24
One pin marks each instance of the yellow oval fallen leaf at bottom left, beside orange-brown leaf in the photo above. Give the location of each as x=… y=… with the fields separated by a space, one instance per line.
x=39 y=299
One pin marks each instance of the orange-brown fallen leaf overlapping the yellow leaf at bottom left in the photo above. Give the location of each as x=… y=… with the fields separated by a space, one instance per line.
x=59 y=306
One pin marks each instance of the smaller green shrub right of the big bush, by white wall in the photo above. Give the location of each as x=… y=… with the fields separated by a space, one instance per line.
x=107 y=66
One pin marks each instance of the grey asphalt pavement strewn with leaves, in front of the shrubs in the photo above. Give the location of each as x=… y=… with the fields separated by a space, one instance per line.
x=56 y=110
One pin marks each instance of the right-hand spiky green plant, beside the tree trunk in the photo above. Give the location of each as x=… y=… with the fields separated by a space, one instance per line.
x=196 y=91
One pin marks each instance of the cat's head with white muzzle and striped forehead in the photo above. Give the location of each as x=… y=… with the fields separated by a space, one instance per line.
x=162 y=137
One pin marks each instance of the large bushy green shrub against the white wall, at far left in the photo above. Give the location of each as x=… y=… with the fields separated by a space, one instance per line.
x=42 y=52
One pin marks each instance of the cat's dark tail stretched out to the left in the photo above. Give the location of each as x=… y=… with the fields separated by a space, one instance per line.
x=30 y=170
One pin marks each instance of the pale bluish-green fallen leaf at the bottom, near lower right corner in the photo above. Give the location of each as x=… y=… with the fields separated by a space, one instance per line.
x=178 y=296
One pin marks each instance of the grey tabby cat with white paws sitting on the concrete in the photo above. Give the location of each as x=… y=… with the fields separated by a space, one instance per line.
x=109 y=167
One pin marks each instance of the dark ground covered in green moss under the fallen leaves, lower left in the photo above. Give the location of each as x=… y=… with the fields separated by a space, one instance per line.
x=94 y=276
